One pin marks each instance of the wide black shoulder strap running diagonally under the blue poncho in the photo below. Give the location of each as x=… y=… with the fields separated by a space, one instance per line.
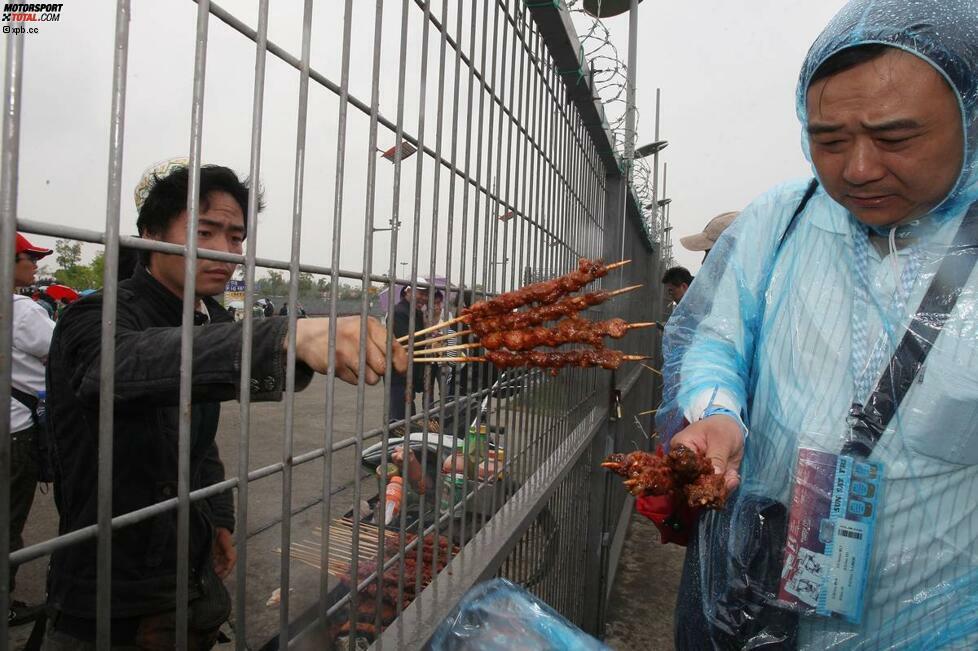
x=870 y=421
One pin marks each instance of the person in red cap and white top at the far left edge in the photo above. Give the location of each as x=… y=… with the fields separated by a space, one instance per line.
x=32 y=329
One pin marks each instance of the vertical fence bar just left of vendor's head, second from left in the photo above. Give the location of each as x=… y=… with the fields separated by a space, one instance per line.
x=109 y=302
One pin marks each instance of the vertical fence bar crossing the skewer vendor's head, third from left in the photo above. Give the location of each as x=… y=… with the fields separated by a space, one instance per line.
x=186 y=328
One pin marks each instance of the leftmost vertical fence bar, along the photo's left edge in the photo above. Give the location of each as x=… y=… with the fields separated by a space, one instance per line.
x=12 y=84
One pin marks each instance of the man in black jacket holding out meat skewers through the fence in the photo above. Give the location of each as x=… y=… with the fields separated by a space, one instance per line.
x=146 y=420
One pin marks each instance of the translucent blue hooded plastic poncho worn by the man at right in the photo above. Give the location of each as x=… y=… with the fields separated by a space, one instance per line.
x=769 y=333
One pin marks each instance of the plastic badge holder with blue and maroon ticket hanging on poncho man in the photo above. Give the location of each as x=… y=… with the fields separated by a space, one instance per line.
x=834 y=505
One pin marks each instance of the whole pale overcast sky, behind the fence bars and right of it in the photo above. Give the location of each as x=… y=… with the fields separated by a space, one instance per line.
x=727 y=70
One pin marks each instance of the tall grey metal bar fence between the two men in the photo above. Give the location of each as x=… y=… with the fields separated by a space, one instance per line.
x=515 y=178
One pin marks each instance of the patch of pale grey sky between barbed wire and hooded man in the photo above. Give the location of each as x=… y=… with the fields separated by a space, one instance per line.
x=727 y=70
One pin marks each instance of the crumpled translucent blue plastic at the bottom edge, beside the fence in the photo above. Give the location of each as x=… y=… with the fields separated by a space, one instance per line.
x=498 y=616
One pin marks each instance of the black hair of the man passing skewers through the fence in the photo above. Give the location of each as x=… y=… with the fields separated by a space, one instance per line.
x=168 y=196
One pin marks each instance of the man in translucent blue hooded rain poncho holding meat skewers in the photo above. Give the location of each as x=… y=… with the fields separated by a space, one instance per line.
x=792 y=323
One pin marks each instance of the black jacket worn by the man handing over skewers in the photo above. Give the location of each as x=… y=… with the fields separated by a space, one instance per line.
x=146 y=424
